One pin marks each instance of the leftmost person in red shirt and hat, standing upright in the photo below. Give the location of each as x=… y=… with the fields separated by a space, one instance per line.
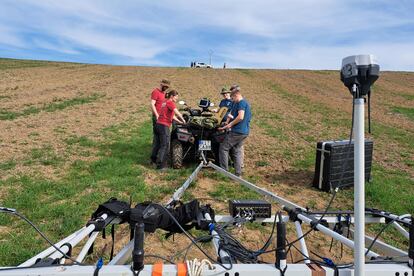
x=157 y=98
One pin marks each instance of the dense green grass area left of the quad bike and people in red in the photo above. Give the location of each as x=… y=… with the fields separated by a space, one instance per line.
x=61 y=206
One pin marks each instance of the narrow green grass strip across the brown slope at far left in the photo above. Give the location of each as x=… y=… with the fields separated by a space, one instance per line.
x=50 y=107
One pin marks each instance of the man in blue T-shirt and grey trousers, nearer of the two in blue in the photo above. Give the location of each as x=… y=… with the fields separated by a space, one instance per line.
x=238 y=124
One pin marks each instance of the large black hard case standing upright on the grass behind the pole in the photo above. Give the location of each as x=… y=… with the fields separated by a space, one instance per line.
x=334 y=164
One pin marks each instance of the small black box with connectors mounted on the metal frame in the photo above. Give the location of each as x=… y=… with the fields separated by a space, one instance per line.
x=259 y=208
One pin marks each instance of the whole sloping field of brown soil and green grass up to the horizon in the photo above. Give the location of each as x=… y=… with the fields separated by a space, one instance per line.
x=73 y=135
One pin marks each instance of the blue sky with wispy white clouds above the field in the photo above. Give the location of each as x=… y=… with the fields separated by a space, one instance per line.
x=306 y=34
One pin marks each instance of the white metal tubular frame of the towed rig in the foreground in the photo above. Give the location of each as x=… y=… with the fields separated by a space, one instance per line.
x=116 y=267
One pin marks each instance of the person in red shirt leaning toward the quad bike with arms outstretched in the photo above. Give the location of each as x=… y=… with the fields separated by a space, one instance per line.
x=167 y=114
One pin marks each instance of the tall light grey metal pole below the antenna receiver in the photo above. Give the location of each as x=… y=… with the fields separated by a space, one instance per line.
x=359 y=186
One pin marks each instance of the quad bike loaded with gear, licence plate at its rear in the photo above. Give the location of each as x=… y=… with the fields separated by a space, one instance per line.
x=198 y=134
